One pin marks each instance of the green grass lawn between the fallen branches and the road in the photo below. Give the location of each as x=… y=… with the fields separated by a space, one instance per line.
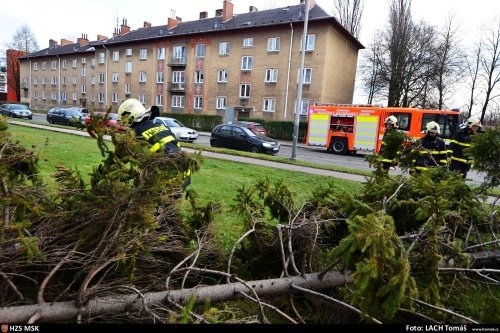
x=217 y=180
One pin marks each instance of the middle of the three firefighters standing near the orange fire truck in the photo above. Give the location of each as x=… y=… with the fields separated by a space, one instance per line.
x=431 y=149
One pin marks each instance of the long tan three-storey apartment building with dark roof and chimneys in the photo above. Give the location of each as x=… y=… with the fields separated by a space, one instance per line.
x=248 y=61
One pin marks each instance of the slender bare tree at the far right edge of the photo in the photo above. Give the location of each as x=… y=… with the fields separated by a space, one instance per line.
x=490 y=63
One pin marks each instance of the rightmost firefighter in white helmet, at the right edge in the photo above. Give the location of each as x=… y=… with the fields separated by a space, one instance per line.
x=460 y=140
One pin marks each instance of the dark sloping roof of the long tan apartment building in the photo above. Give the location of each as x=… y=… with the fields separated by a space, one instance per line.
x=271 y=17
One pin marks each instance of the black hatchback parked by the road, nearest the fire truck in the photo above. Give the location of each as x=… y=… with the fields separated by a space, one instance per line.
x=239 y=137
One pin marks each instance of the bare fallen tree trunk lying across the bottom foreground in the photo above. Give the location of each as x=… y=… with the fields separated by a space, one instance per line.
x=64 y=311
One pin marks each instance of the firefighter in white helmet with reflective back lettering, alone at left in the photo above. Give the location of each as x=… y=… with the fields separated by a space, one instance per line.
x=133 y=114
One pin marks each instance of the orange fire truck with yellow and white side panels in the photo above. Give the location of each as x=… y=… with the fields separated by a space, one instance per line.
x=359 y=128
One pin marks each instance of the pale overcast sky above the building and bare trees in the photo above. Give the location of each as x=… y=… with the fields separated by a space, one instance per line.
x=55 y=19
